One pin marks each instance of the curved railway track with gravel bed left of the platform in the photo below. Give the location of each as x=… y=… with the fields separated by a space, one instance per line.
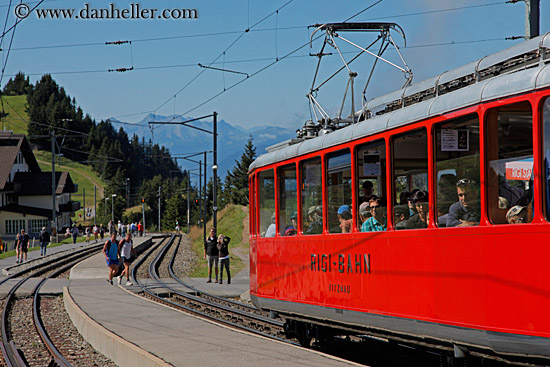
x=21 y=346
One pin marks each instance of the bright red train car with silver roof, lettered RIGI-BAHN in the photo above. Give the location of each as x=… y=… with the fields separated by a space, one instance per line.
x=453 y=251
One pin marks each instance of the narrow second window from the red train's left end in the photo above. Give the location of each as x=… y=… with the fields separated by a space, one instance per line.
x=286 y=226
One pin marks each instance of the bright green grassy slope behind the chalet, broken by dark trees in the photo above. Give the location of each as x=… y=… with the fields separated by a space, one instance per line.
x=83 y=175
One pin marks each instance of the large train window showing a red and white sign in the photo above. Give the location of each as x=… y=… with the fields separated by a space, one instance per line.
x=501 y=202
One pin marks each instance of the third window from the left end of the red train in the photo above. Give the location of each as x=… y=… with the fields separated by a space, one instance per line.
x=314 y=208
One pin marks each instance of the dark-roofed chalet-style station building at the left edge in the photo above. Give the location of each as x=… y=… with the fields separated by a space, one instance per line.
x=26 y=192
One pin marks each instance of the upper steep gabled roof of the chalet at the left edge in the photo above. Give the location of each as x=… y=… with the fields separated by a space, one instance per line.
x=10 y=145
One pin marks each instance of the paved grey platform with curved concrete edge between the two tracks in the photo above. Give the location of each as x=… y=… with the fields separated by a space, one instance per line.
x=134 y=331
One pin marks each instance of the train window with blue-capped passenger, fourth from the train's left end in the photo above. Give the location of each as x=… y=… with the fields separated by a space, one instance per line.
x=339 y=192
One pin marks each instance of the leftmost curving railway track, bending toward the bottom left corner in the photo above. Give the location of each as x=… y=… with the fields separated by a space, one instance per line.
x=11 y=354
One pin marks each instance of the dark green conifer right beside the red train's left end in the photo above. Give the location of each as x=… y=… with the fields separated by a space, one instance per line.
x=236 y=183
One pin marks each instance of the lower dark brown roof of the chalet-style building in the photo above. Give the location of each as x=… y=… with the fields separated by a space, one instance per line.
x=40 y=183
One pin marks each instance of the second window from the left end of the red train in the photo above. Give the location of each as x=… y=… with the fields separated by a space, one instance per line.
x=288 y=199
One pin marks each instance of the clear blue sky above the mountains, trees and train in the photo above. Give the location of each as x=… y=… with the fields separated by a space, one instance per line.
x=164 y=53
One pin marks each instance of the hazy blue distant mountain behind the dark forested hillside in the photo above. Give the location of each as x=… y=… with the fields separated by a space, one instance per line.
x=231 y=139
